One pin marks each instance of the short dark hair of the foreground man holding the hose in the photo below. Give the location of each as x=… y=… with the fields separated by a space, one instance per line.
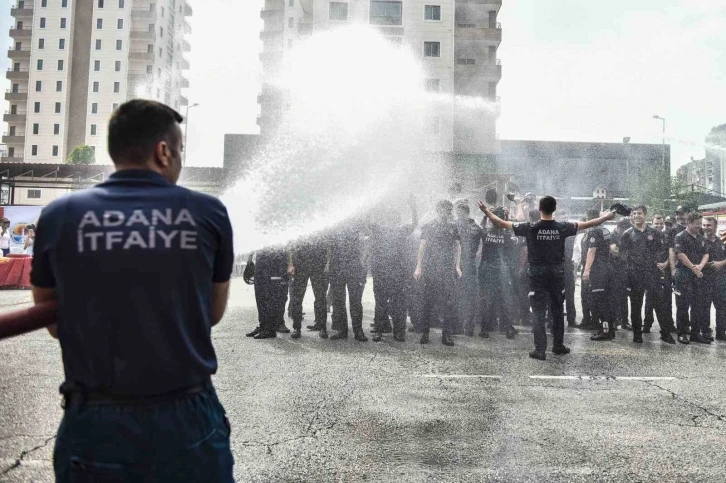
x=137 y=127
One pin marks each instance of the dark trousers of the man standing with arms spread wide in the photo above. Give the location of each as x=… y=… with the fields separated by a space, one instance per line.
x=547 y=290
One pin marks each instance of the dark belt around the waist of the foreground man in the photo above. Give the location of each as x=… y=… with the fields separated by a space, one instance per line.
x=95 y=398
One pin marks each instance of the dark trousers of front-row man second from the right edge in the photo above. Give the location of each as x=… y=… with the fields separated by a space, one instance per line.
x=691 y=294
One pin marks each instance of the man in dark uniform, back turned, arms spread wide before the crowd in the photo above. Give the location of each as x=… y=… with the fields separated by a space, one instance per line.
x=546 y=253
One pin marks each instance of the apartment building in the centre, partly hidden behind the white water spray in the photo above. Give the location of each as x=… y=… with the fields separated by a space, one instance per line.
x=456 y=39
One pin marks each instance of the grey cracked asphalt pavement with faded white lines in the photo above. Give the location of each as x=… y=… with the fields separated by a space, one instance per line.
x=313 y=410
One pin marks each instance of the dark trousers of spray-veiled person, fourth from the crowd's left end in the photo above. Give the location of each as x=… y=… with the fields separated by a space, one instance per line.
x=389 y=291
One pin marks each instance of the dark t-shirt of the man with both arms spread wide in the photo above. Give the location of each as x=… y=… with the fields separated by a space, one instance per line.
x=546 y=240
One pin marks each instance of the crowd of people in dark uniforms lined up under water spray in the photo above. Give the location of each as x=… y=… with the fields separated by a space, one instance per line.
x=463 y=274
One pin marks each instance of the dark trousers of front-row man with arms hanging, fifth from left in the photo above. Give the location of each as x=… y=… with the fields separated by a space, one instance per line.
x=438 y=300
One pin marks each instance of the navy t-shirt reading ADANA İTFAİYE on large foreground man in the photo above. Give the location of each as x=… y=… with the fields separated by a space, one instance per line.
x=133 y=261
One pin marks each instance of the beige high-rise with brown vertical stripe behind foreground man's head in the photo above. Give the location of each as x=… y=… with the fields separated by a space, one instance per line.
x=74 y=61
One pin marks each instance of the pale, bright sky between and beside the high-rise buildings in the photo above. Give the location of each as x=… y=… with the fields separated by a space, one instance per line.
x=573 y=70
